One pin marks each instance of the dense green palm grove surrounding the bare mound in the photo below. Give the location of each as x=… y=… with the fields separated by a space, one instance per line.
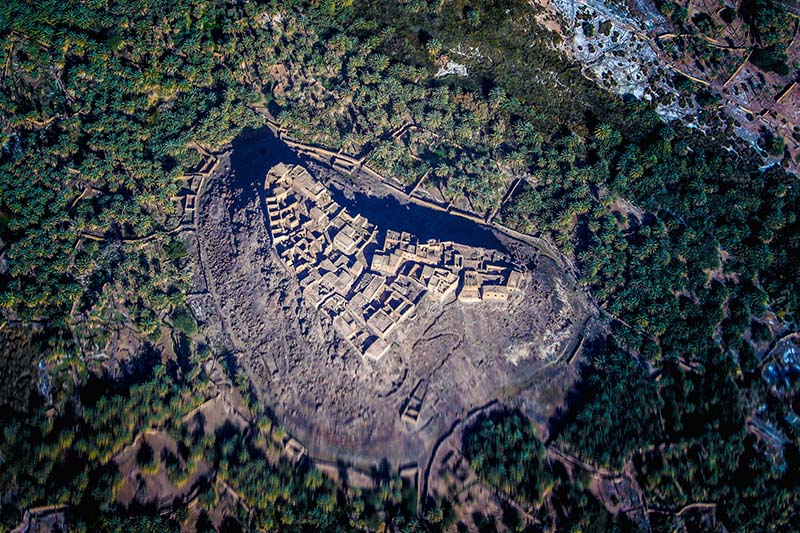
x=687 y=246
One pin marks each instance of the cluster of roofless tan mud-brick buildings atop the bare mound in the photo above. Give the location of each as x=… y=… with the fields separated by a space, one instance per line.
x=368 y=293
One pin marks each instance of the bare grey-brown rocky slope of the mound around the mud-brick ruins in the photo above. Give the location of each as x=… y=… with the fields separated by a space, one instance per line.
x=340 y=406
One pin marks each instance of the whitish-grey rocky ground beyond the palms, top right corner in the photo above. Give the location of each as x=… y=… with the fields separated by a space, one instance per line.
x=630 y=48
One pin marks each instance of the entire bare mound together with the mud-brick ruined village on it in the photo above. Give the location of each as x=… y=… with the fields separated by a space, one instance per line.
x=414 y=333
